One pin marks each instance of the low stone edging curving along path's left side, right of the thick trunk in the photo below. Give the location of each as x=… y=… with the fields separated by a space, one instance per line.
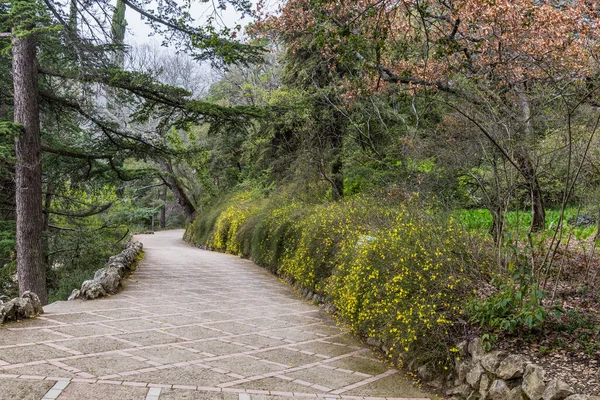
x=108 y=279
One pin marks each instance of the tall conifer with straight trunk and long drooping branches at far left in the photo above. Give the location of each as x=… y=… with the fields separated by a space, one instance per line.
x=74 y=63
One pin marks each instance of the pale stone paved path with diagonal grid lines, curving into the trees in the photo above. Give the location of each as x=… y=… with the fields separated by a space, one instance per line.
x=191 y=324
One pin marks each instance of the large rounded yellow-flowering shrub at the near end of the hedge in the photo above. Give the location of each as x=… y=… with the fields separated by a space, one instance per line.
x=405 y=286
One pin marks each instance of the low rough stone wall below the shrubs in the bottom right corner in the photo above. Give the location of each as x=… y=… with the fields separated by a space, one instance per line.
x=498 y=375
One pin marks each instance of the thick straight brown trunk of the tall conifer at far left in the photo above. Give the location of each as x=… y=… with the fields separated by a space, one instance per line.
x=31 y=270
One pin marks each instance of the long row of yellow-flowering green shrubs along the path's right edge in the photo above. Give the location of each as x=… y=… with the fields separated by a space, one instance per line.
x=395 y=272
